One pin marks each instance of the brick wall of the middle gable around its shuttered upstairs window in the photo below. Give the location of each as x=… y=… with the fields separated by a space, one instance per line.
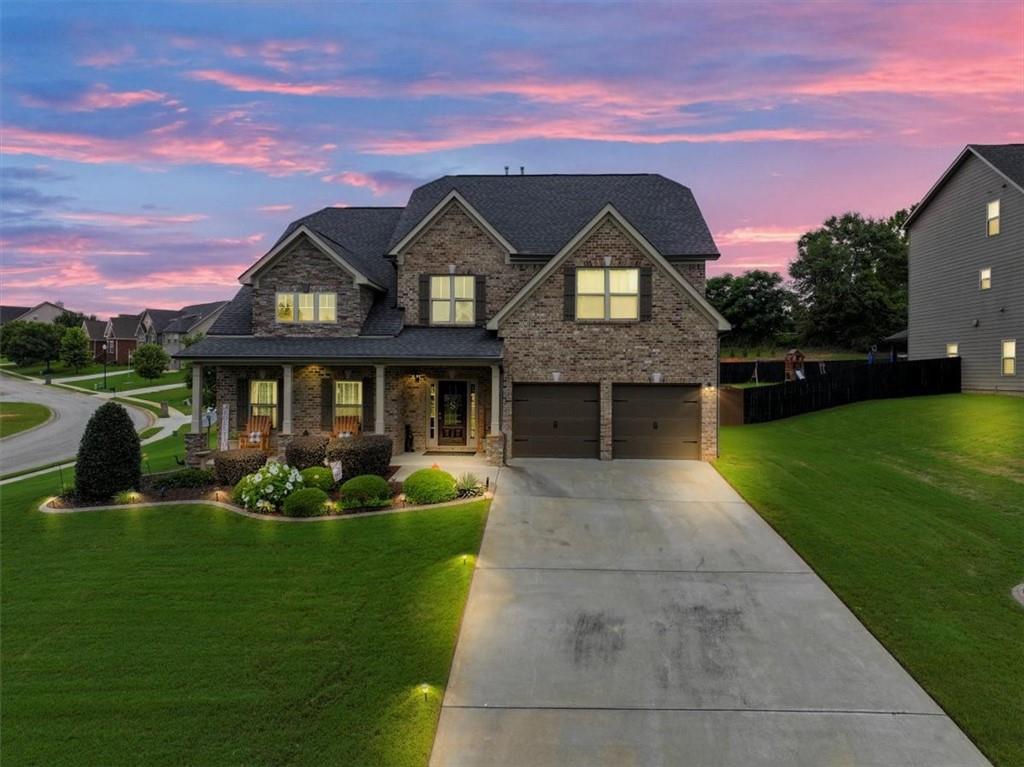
x=456 y=239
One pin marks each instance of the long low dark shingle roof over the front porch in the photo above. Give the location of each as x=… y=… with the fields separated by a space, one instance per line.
x=413 y=344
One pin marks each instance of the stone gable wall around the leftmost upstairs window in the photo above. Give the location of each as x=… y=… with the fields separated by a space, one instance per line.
x=305 y=265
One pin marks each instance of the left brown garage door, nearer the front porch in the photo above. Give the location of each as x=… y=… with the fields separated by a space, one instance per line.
x=556 y=421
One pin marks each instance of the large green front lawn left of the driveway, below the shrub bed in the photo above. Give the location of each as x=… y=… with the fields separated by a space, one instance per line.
x=191 y=635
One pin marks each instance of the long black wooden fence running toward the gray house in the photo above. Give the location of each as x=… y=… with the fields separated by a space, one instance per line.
x=758 y=405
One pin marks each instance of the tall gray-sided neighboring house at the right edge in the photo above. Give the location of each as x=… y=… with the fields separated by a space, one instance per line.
x=967 y=268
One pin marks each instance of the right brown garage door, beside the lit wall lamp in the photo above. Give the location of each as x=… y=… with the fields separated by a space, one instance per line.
x=656 y=421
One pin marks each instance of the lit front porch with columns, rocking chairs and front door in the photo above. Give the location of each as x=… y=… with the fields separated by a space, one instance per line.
x=451 y=409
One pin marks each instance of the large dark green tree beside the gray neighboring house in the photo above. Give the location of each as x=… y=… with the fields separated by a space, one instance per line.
x=851 y=278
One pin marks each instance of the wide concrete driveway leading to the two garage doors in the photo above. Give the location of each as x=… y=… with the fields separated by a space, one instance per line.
x=642 y=614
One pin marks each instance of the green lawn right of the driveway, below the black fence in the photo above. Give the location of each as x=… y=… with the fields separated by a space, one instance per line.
x=913 y=512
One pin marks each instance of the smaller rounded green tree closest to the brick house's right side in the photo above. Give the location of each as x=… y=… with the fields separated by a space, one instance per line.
x=758 y=306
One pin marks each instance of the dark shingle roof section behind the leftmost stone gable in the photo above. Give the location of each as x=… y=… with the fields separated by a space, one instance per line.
x=361 y=234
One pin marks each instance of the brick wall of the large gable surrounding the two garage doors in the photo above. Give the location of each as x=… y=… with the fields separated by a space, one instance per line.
x=679 y=342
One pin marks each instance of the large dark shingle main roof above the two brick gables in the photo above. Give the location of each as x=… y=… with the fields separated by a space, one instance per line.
x=540 y=215
